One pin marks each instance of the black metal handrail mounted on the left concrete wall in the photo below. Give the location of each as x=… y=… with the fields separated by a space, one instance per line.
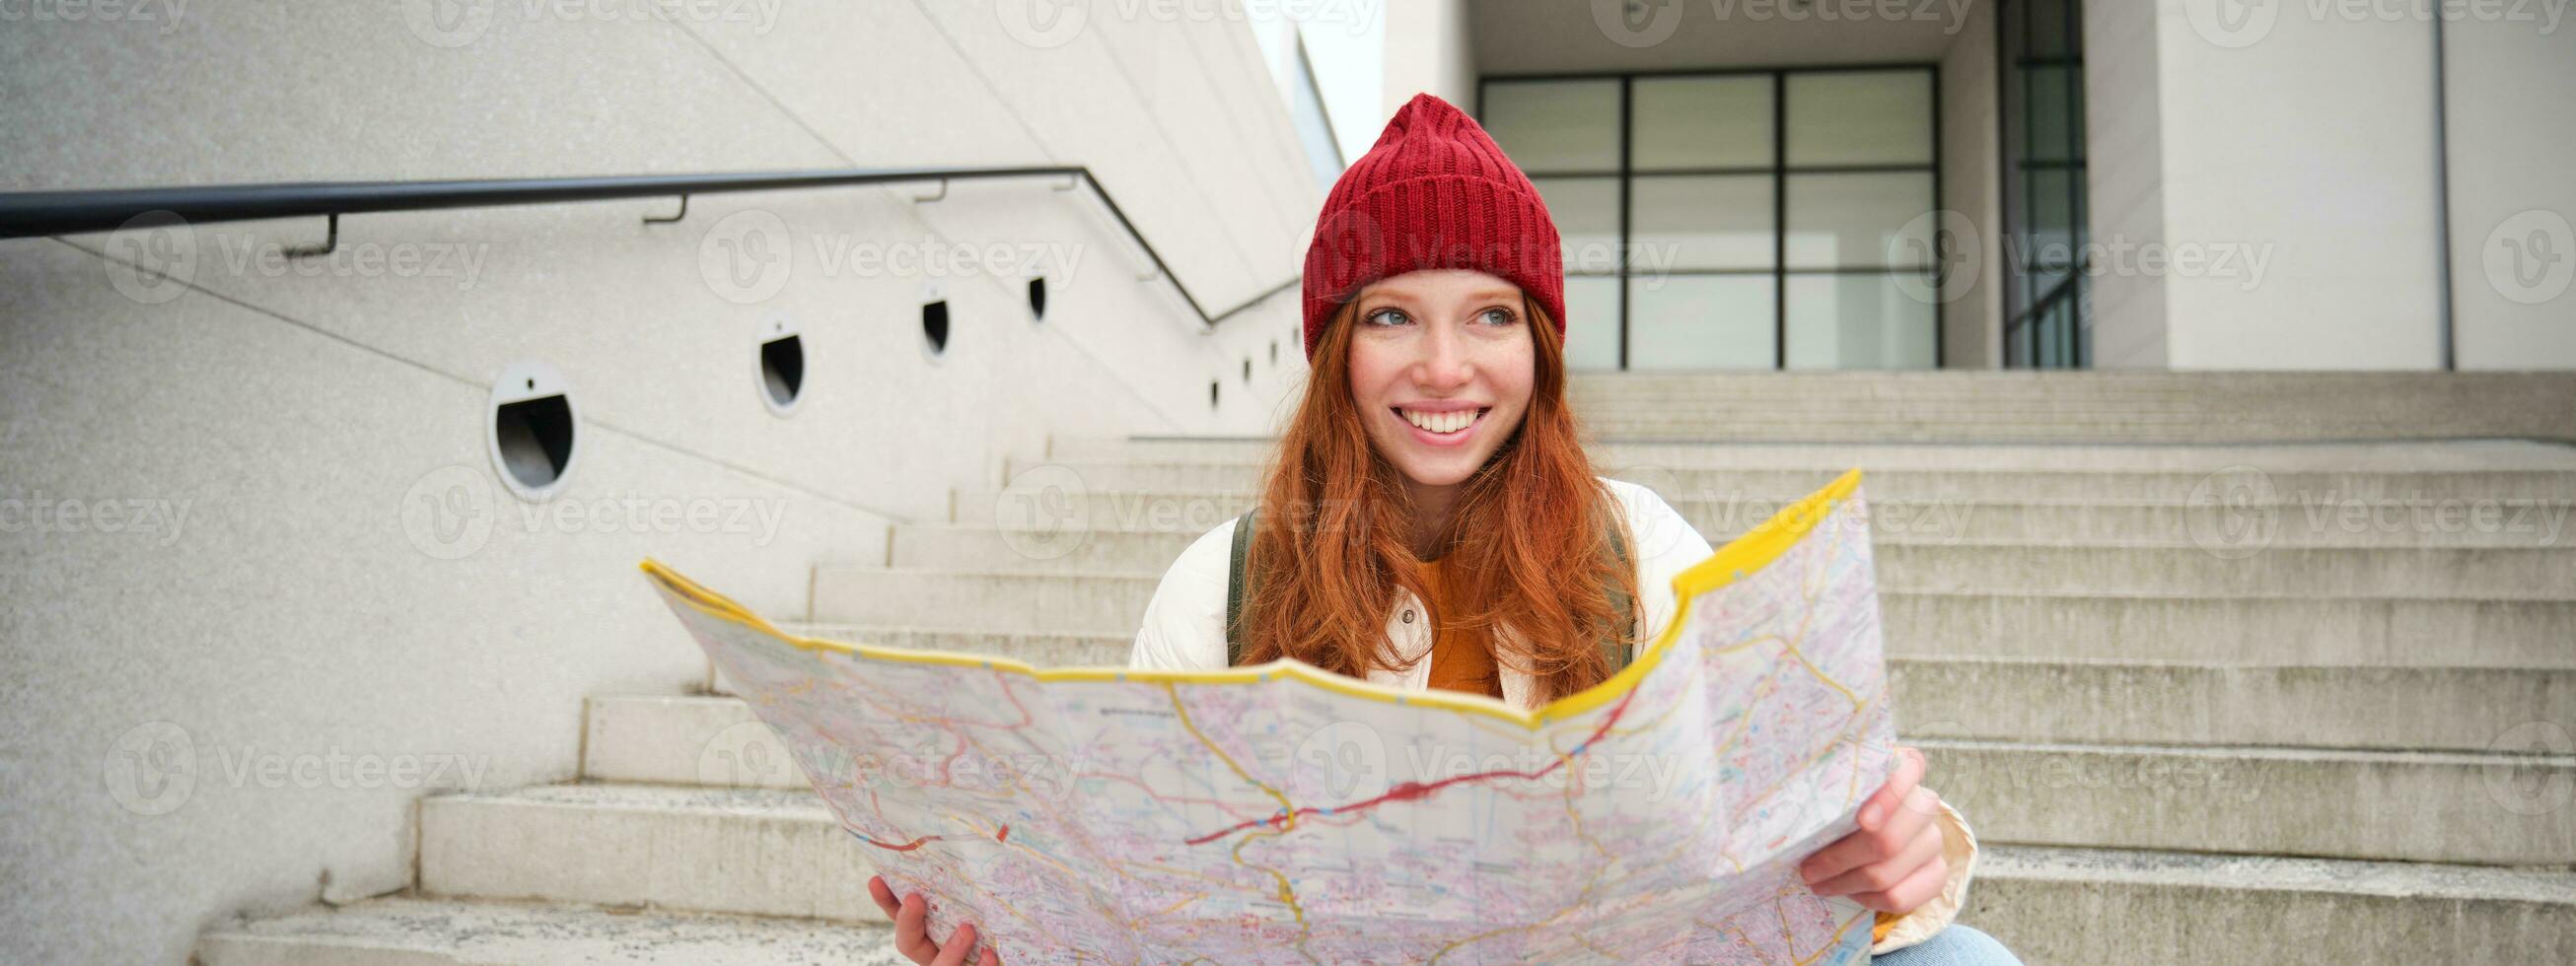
x=71 y=213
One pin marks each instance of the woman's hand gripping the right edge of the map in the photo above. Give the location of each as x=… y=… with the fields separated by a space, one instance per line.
x=1895 y=862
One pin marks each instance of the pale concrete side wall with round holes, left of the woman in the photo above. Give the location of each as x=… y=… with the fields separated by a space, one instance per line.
x=236 y=707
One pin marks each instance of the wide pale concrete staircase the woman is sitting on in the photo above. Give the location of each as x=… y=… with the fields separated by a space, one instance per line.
x=2248 y=692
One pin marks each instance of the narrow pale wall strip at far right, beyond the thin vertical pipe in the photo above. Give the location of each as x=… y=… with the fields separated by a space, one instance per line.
x=2513 y=200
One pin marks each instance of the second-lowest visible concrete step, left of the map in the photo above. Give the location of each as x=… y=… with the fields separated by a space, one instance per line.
x=735 y=851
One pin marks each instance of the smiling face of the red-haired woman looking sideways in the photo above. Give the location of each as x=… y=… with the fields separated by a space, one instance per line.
x=1441 y=367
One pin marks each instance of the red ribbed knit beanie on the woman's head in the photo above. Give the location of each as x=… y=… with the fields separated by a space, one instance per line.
x=1431 y=194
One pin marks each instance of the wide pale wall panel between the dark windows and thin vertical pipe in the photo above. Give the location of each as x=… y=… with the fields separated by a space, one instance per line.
x=2309 y=146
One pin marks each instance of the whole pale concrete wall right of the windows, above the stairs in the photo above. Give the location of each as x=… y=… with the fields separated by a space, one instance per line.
x=2284 y=164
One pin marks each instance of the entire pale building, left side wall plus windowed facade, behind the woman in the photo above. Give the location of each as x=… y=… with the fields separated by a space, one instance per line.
x=380 y=483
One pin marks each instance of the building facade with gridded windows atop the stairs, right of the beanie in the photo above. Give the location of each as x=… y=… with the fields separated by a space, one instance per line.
x=2039 y=184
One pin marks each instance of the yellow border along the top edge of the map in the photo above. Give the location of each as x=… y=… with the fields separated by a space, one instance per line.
x=1735 y=560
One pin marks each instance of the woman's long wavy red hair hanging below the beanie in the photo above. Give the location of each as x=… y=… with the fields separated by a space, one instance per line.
x=1526 y=542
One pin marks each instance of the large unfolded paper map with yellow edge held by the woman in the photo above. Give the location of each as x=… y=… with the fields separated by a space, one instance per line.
x=1284 y=813
